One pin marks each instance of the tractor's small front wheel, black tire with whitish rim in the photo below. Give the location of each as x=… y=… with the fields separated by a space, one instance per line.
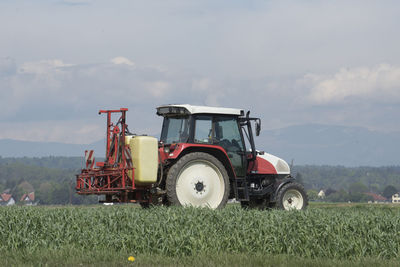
x=292 y=196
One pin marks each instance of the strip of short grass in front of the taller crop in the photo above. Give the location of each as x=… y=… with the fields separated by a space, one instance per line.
x=67 y=257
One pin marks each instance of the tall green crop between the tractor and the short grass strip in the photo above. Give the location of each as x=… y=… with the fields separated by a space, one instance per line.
x=335 y=233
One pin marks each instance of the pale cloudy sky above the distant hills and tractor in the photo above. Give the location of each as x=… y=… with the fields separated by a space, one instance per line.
x=289 y=62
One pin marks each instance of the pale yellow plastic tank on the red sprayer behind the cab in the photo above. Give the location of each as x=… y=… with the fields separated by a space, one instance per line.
x=144 y=150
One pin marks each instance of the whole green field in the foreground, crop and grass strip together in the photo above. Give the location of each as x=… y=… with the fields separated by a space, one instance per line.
x=324 y=234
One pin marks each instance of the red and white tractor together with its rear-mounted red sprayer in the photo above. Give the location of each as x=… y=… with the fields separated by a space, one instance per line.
x=205 y=157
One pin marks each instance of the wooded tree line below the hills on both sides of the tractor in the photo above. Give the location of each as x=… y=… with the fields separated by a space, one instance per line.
x=53 y=180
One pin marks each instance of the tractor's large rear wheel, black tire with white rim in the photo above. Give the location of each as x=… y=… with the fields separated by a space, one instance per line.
x=198 y=179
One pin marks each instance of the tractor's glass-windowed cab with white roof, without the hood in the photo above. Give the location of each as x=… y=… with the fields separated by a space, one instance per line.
x=207 y=127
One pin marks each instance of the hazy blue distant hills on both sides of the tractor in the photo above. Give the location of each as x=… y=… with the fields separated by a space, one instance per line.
x=307 y=144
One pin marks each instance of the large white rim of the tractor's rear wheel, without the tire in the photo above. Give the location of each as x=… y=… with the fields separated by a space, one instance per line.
x=200 y=184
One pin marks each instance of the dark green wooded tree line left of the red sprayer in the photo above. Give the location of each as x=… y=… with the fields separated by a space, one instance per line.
x=51 y=178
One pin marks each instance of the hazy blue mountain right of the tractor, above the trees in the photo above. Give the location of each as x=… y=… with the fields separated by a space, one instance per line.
x=332 y=145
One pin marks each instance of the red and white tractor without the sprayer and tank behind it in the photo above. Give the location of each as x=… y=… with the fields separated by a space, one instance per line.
x=225 y=134
